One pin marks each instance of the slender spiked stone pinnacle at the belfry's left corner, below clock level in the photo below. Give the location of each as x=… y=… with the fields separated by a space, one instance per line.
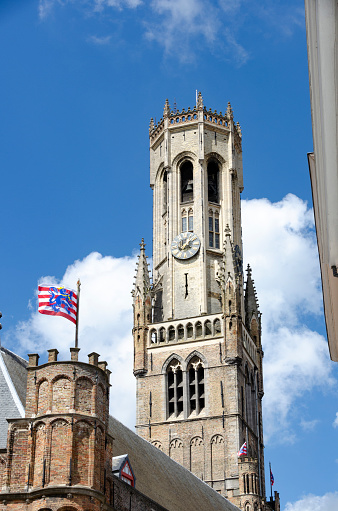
x=142 y=311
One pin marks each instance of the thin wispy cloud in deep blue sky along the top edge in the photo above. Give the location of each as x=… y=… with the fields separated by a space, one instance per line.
x=183 y=28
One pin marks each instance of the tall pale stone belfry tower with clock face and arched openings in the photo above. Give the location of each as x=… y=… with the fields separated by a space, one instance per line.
x=197 y=332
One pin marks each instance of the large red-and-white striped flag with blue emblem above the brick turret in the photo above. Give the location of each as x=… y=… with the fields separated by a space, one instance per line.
x=58 y=301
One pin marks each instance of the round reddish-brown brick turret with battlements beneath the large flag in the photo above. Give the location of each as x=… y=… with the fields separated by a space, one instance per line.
x=59 y=455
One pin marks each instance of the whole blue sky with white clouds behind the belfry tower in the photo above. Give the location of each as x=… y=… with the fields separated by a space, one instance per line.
x=80 y=80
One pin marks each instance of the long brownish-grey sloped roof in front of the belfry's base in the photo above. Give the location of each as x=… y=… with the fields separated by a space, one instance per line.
x=162 y=479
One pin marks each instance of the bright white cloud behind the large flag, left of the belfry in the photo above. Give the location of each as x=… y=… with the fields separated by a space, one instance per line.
x=105 y=323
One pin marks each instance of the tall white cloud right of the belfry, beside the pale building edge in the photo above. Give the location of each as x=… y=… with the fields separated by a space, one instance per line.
x=280 y=245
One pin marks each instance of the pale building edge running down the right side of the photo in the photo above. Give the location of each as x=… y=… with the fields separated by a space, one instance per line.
x=322 y=36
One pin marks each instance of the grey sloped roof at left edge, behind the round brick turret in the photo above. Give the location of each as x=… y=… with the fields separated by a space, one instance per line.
x=13 y=381
